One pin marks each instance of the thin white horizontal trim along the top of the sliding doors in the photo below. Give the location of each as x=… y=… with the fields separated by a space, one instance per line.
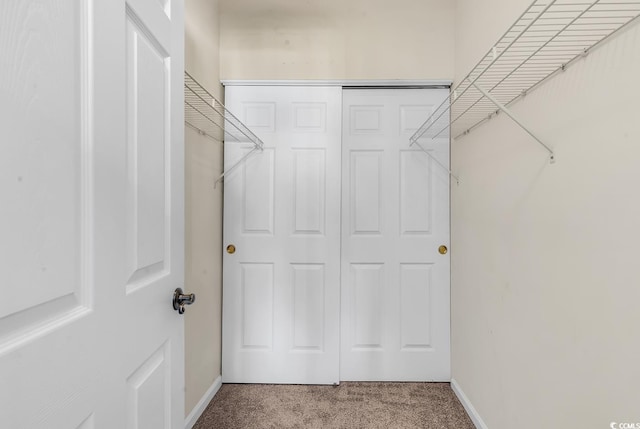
x=343 y=83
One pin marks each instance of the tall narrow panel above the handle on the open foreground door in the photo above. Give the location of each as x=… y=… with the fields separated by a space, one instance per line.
x=148 y=144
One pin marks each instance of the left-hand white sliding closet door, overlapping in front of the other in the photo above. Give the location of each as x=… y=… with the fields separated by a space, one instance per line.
x=281 y=212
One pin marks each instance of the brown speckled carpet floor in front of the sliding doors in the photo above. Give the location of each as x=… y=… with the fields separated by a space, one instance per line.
x=350 y=405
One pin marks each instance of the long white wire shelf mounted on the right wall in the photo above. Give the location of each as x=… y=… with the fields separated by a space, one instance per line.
x=547 y=37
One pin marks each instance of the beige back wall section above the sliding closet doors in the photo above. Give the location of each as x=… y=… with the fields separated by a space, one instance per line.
x=337 y=39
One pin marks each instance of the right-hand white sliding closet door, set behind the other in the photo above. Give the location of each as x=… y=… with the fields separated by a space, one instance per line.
x=395 y=215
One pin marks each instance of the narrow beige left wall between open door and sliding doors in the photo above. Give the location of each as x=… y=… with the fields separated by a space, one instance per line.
x=203 y=212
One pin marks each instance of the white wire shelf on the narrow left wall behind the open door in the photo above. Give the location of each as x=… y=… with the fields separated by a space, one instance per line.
x=205 y=114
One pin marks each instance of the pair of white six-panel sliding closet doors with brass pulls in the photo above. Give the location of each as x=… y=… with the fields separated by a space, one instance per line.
x=338 y=218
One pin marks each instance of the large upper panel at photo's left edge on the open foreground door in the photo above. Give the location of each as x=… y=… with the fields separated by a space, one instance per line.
x=46 y=168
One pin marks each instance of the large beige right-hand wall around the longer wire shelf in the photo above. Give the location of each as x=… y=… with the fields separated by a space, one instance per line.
x=545 y=284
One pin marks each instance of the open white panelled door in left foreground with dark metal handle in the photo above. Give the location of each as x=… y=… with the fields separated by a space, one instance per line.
x=91 y=223
